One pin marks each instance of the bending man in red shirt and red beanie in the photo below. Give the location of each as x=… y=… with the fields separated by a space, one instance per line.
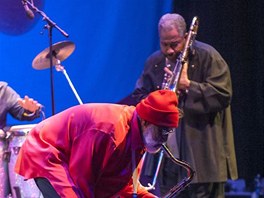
x=92 y=150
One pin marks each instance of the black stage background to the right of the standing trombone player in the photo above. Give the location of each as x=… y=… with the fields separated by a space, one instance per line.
x=235 y=29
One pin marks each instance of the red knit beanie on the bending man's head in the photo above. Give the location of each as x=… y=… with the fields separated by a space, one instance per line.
x=160 y=108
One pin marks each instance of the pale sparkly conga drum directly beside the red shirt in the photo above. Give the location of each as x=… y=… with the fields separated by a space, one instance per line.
x=20 y=187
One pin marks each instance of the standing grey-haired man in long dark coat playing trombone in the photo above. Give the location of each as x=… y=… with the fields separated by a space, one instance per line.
x=204 y=137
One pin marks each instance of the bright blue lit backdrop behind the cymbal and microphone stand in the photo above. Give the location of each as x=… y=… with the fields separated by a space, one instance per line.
x=112 y=38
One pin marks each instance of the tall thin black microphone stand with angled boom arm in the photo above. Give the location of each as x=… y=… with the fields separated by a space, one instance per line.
x=50 y=25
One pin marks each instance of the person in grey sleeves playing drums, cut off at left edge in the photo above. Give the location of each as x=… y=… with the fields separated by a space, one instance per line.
x=21 y=109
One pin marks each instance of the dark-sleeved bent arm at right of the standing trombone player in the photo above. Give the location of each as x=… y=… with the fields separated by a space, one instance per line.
x=210 y=87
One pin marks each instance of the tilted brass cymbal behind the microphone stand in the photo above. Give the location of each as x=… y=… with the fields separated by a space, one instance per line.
x=60 y=51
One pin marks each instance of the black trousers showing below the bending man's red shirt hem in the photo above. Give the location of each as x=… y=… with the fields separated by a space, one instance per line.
x=46 y=188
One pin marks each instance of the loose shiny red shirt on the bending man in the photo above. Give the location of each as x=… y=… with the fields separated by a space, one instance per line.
x=85 y=151
